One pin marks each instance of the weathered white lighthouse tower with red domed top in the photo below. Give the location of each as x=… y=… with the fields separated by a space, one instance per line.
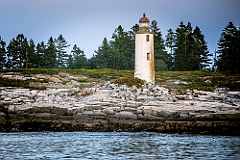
x=144 y=52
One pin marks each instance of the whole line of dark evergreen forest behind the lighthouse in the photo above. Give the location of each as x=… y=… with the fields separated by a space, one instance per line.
x=182 y=49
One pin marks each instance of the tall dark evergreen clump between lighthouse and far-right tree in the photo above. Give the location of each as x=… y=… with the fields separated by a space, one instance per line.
x=190 y=49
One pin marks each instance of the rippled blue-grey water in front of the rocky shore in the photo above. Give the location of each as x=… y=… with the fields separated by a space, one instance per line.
x=116 y=145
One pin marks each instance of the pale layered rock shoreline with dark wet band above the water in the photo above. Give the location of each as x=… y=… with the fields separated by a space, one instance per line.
x=112 y=107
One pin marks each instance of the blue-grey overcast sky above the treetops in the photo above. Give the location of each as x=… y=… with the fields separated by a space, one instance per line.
x=87 y=22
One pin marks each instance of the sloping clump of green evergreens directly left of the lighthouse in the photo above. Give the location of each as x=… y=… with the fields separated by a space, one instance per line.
x=119 y=53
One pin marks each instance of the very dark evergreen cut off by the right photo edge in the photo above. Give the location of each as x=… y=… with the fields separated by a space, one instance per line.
x=229 y=49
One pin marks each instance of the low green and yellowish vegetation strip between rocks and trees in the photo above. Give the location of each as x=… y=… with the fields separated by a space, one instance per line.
x=174 y=80
